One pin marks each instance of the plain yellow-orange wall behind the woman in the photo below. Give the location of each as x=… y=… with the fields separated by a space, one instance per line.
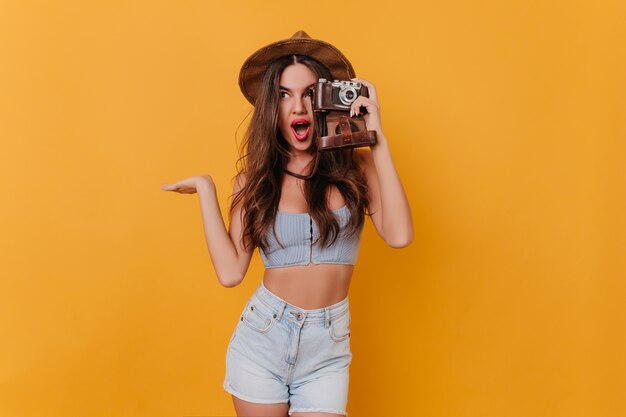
x=506 y=122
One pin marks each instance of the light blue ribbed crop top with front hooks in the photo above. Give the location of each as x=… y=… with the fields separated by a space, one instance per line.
x=296 y=231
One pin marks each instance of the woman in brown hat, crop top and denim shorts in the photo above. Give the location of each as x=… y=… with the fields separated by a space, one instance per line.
x=304 y=210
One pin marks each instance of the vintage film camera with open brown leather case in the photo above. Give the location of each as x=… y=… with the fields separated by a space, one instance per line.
x=331 y=105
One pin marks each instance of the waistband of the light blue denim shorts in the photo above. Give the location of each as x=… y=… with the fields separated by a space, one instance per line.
x=297 y=314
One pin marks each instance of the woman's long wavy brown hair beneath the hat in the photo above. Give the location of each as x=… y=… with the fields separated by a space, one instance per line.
x=264 y=156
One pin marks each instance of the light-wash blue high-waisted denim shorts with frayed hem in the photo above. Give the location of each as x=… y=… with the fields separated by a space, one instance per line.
x=280 y=353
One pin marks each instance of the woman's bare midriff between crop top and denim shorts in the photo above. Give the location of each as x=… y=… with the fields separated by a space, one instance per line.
x=310 y=286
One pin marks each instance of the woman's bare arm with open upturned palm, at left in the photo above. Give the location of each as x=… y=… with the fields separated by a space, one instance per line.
x=230 y=259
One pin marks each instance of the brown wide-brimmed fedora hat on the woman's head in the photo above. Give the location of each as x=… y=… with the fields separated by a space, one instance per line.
x=300 y=43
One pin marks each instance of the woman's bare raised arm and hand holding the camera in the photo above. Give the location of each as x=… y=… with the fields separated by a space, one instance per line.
x=389 y=205
